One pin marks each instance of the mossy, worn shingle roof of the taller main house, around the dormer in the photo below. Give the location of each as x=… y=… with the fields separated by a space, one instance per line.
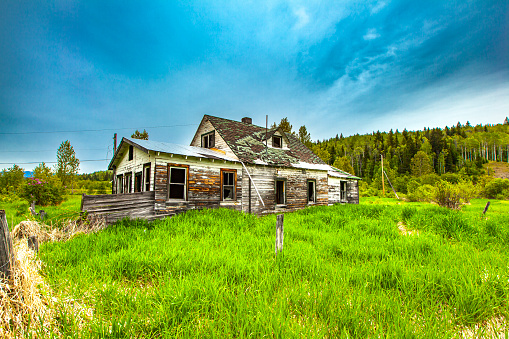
x=247 y=141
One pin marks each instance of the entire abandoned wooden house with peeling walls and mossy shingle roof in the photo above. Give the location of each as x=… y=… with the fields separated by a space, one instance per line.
x=229 y=164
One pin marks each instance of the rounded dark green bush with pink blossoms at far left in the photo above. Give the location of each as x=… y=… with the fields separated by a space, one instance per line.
x=43 y=192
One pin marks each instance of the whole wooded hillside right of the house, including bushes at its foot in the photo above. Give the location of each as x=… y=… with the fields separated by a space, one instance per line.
x=416 y=160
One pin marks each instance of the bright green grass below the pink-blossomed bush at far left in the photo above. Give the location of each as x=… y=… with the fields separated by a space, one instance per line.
x=17 y=209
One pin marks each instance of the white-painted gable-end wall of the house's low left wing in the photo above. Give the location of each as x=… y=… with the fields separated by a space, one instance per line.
x=140 y=158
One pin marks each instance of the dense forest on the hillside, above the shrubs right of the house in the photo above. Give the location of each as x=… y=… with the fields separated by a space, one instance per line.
x=457 y=149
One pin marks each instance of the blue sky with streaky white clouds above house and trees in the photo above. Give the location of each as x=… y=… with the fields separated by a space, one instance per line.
x=334 y=66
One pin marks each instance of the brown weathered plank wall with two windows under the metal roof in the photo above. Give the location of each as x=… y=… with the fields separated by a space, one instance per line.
x=203 y=185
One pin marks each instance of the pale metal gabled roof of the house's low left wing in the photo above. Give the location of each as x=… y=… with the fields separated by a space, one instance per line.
x=165 y=147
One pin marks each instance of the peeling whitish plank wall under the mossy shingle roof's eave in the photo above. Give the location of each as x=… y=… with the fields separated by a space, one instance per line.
x=296 y=188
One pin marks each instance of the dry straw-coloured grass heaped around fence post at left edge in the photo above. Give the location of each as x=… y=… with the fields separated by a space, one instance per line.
x=27 y=302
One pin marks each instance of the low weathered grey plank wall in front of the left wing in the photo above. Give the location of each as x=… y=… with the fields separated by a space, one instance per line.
x=117 y=206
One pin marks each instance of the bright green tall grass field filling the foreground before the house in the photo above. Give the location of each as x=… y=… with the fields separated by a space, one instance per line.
x=349 y=271
